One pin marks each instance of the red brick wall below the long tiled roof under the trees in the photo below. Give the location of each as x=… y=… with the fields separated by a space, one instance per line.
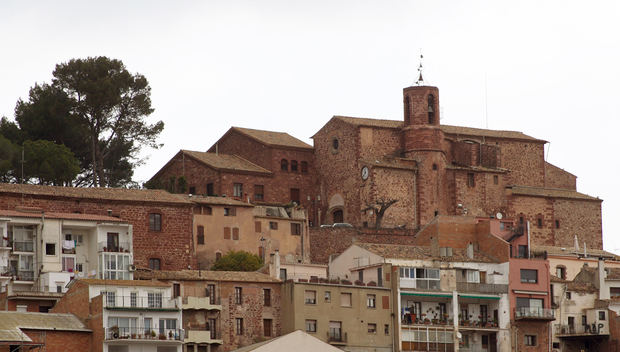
x=174 y=239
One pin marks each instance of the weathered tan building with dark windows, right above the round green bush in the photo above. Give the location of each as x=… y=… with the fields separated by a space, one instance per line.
x=224 y=224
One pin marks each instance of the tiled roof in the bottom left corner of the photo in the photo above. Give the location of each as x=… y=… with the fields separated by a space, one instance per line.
x=11 y=324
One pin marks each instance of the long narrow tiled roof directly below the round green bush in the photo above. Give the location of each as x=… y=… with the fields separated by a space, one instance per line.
x=207 y=275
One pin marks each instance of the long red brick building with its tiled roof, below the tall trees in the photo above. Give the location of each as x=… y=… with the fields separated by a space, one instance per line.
x=162 y=222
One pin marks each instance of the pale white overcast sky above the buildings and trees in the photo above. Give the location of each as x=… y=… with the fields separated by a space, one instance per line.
x=552 y=68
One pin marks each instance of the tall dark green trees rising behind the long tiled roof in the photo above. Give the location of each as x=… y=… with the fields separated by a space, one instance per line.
x=97 y=109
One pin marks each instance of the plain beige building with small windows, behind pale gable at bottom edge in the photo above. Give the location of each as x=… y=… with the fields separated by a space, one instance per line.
x=351 y=317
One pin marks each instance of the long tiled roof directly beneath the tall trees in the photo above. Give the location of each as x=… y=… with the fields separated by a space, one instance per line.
x=117 y=194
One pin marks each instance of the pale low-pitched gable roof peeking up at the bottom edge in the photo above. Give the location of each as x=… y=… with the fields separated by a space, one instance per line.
x=298 y=341
